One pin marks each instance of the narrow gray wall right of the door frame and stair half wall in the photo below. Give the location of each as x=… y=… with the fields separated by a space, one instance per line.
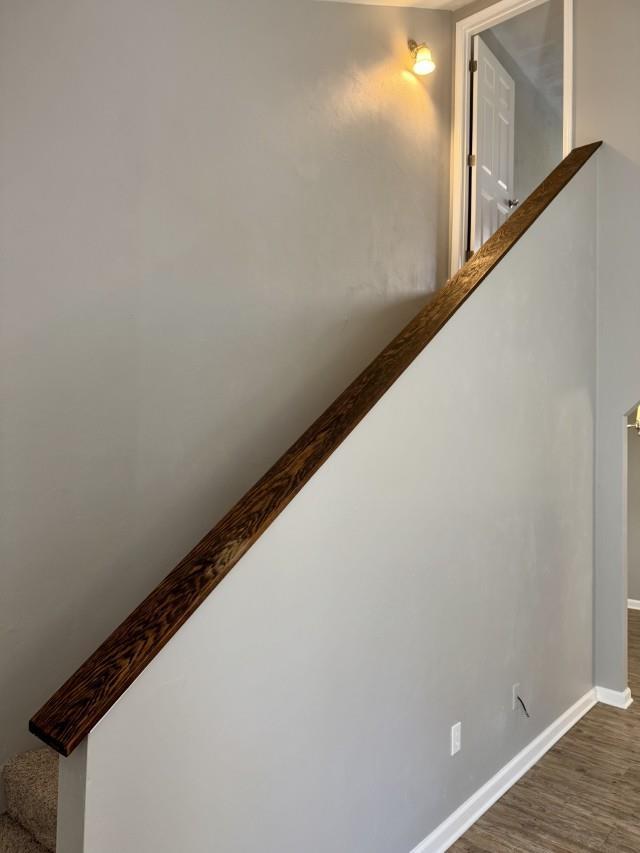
x=607 y=107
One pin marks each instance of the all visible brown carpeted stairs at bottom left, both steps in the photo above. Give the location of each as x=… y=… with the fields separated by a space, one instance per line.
x=31 y=789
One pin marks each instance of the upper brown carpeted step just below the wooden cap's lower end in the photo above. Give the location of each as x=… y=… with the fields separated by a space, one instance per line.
x=31 y=787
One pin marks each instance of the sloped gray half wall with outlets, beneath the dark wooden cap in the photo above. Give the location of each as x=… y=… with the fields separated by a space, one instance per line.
x=444 y=552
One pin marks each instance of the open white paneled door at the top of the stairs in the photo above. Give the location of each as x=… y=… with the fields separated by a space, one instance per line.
x=492 y=191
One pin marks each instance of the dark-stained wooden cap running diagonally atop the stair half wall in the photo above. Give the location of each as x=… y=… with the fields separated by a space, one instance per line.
x=66 y=719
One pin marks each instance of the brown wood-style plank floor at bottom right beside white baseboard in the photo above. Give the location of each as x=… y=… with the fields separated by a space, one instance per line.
x=583 y=795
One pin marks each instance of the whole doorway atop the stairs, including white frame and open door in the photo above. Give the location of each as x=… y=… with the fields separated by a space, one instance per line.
x=513 y=109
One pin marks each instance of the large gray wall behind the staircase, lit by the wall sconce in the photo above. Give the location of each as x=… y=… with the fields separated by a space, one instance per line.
x=213 y=214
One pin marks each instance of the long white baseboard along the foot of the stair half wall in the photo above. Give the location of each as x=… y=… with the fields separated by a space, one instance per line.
x=457 y=823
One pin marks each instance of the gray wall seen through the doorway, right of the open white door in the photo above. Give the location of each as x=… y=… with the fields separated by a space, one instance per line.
x=538 y=127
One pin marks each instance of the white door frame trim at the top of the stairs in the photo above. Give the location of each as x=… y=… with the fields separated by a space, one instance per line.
x=466 y=28
